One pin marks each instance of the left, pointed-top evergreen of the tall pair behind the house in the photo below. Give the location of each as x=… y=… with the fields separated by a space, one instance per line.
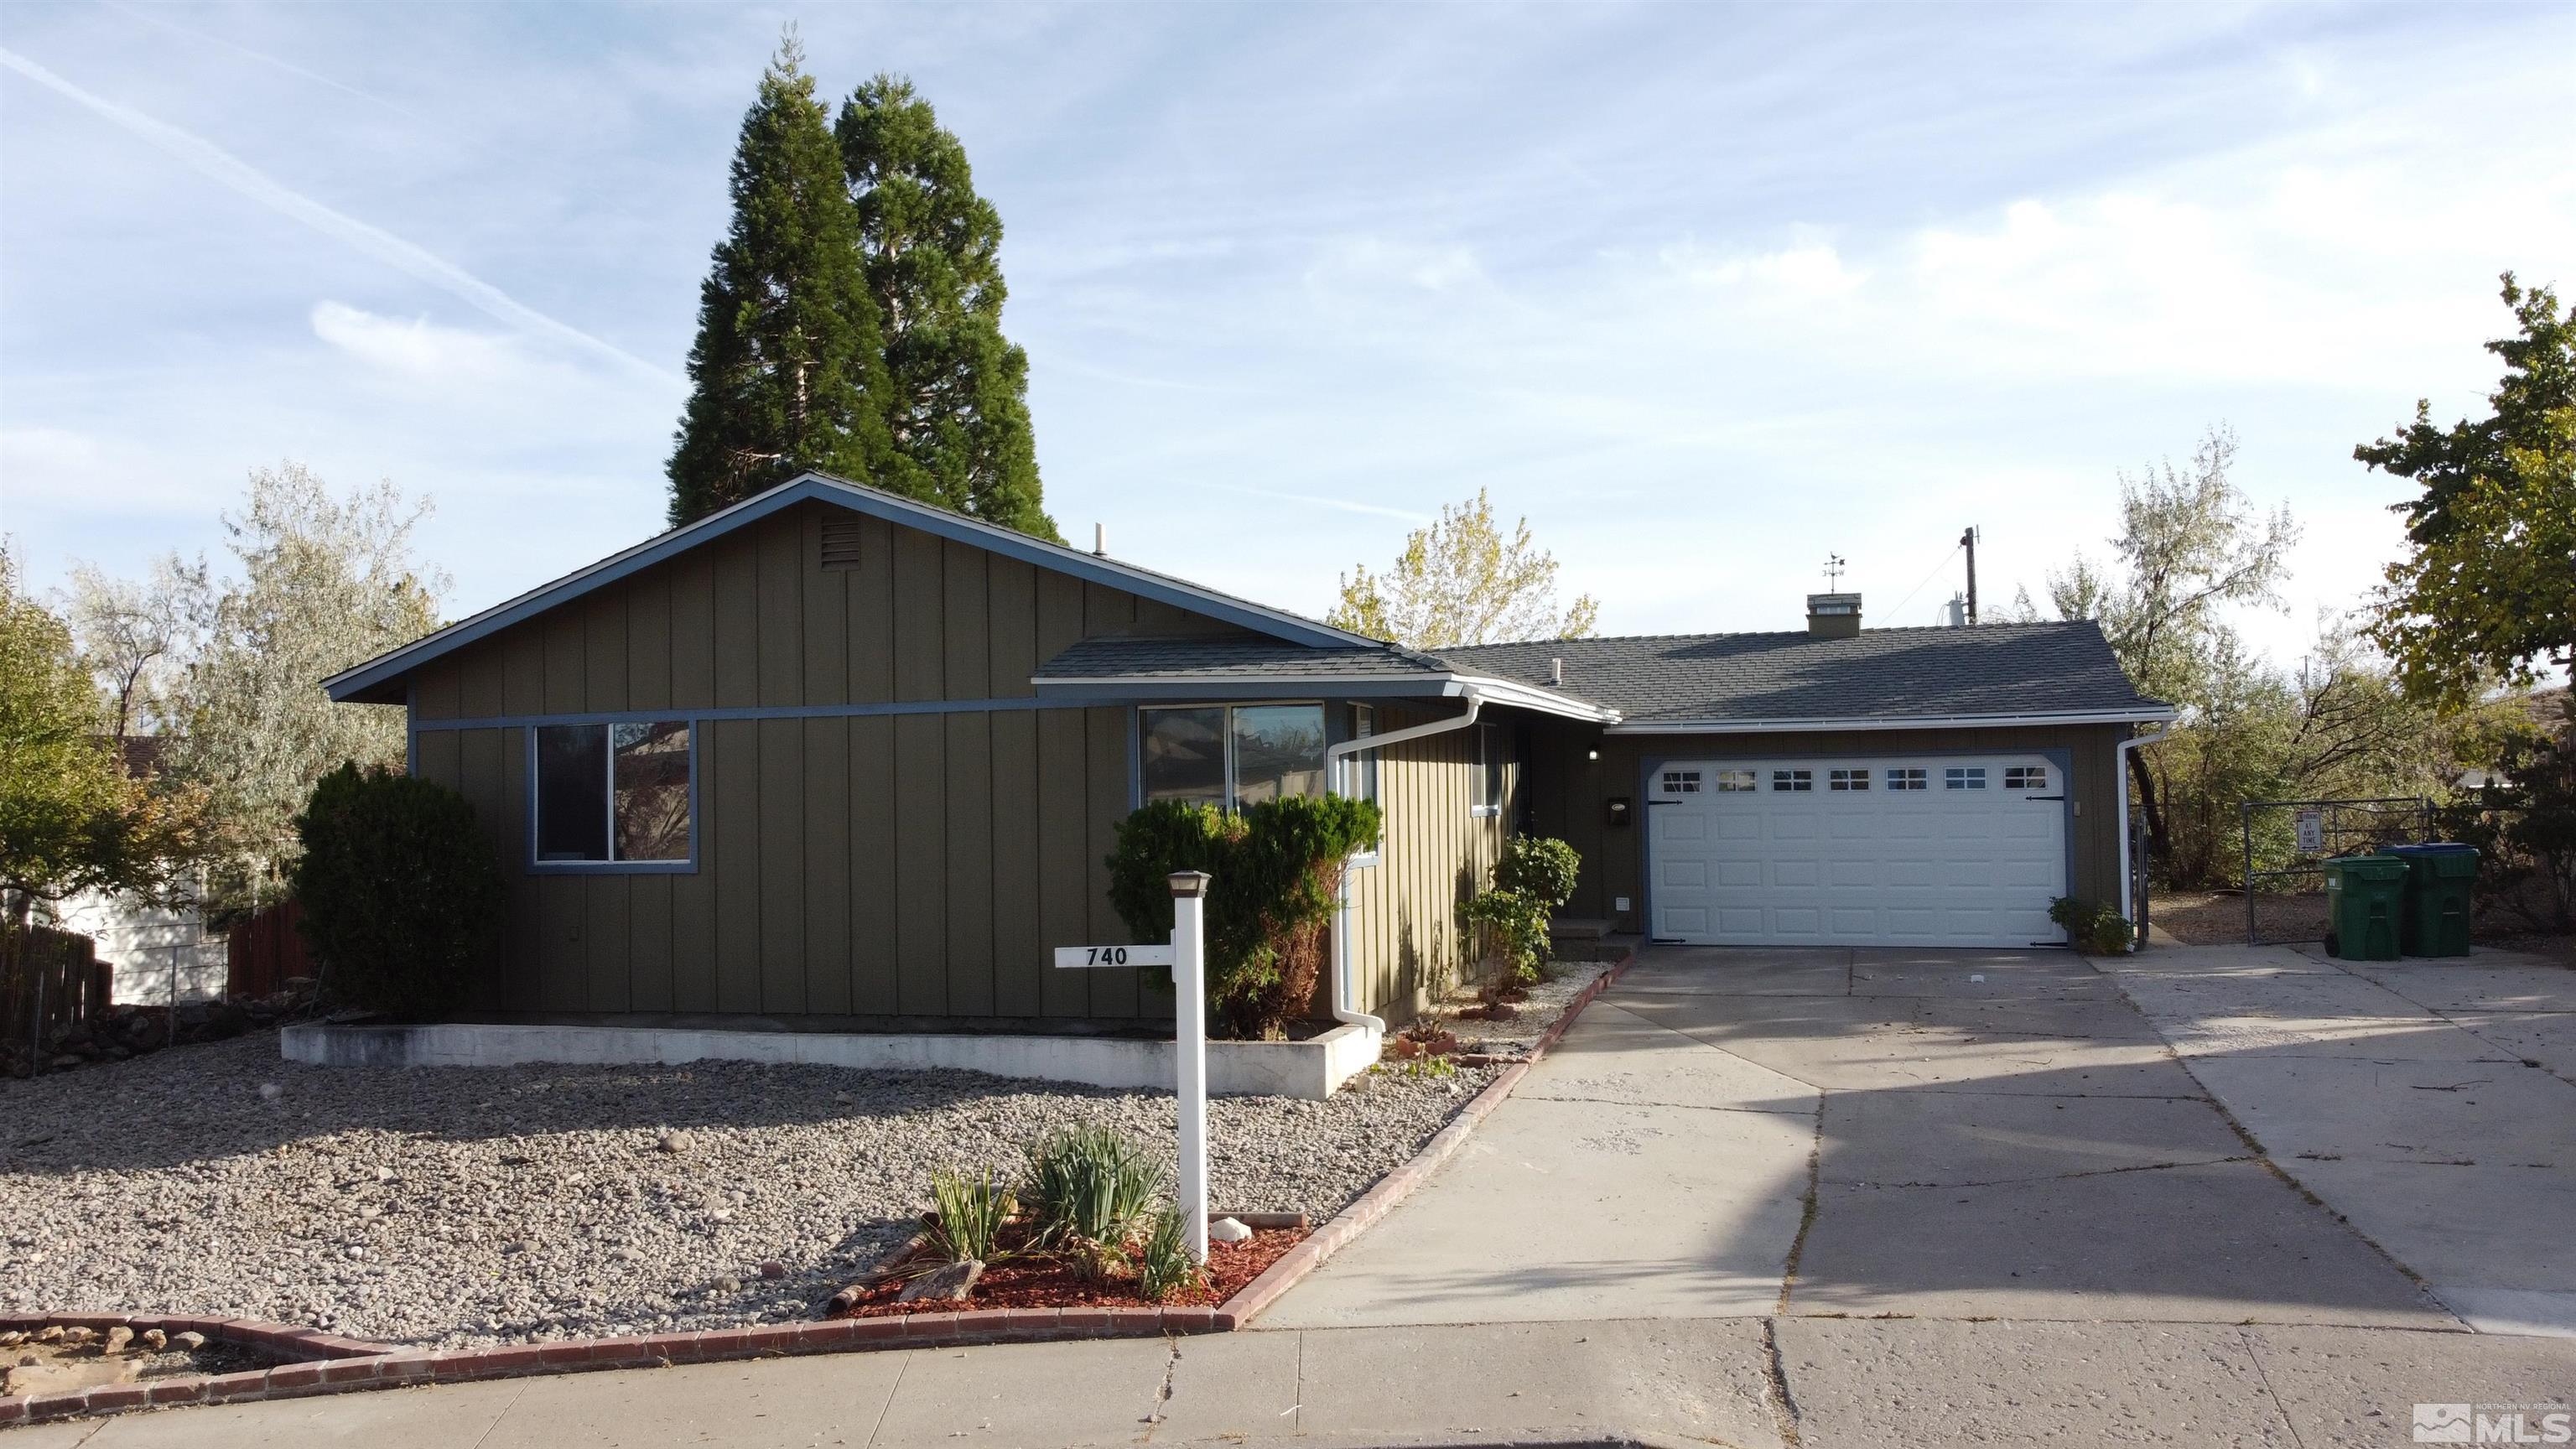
x=790 y=367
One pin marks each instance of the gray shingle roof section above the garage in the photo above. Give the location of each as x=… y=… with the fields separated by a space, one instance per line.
x=1879 y=674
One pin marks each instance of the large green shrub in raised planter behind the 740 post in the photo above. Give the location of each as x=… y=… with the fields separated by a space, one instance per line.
x=1276 y=870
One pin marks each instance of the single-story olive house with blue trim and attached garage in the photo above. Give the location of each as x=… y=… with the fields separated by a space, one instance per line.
x=844 y=762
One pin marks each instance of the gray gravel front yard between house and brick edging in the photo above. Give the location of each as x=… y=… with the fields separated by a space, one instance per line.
x=475 y=1205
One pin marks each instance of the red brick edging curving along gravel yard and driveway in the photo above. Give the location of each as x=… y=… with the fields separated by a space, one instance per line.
x=323 y=1363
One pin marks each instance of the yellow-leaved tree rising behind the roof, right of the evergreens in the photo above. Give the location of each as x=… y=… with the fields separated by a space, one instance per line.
x=1459 y=581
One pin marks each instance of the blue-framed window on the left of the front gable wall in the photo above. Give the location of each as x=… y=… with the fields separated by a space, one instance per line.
x=614 y=795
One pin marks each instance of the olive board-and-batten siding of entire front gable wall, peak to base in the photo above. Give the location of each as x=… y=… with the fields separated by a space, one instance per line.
x=867 y=868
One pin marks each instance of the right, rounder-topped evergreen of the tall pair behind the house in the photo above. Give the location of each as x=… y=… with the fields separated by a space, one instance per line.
x=957 y=401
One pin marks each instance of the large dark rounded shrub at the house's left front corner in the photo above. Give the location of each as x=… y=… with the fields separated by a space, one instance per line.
x=403 y=899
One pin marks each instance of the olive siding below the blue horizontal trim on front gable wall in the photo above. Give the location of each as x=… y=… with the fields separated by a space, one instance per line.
x=846 y=868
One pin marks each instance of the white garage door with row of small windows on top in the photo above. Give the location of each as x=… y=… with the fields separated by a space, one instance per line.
x=1884 y=852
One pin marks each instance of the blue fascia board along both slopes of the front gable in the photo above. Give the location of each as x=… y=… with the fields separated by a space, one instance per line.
x=383 y=669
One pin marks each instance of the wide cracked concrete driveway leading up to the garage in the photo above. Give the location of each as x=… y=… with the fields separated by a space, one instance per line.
x=2003 y=1136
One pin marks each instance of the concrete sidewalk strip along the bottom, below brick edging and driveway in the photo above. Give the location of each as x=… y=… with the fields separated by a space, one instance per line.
x=1735 y=1381
